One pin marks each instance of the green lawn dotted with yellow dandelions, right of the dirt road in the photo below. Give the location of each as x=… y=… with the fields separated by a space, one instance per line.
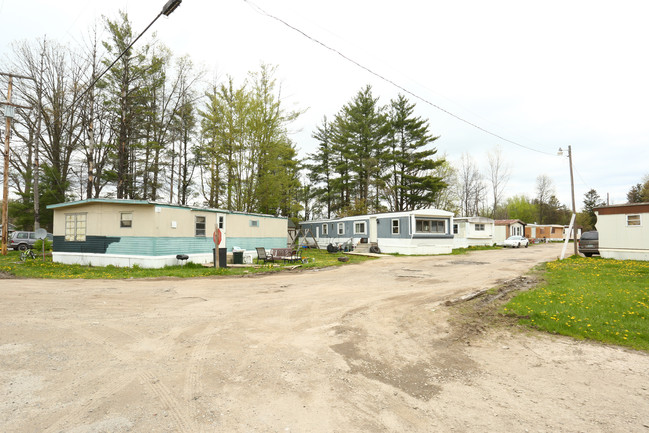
x=590 y=298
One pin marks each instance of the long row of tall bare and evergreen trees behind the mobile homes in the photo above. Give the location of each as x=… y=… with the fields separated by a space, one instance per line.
x=148 y=130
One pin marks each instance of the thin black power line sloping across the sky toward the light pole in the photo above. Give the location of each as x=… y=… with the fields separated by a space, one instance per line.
x=387 y=80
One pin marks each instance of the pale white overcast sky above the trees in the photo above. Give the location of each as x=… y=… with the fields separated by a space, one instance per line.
x=543 y=75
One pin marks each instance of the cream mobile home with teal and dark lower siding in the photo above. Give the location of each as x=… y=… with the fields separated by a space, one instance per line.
x=118 y=232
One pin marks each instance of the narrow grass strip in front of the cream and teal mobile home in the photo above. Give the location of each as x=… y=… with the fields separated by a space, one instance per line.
x=11 y=265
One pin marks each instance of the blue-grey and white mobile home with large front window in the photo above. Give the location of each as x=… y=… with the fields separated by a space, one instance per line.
x=425 y=231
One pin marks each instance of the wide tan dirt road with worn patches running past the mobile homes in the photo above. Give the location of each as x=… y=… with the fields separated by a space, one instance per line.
x=363 y=348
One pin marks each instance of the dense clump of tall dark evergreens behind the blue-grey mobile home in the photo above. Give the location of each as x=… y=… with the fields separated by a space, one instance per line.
x=373 y=158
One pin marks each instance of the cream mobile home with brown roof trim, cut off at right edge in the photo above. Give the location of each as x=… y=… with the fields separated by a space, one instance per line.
x=623 y=231
